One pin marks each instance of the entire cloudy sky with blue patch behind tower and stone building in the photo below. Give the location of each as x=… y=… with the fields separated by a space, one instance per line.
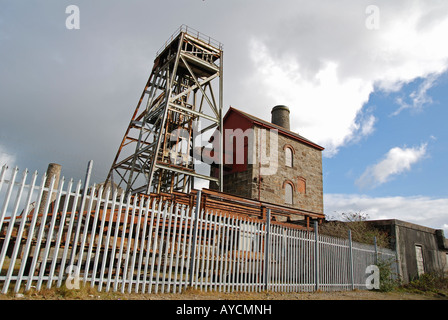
x=366 y=80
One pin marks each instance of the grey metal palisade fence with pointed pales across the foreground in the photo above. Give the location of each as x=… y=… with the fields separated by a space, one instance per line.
x=54 y=233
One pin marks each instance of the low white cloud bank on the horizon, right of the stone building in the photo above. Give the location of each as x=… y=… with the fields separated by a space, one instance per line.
x=426 y=211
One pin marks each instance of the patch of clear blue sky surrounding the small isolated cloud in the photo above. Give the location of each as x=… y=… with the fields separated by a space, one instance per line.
x=411 y=128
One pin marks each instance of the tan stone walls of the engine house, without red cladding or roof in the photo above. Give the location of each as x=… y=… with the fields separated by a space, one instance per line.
x=267 y=183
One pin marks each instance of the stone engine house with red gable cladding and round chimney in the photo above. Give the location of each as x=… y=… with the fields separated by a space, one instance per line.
x=266 y=161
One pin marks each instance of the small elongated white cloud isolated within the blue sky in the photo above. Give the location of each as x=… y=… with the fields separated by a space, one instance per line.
x=397 y=160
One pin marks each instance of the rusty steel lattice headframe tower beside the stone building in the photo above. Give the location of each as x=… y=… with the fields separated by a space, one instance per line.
x=183 y=96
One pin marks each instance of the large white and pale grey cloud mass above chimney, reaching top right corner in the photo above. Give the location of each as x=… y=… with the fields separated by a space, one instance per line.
x=325 y=68
